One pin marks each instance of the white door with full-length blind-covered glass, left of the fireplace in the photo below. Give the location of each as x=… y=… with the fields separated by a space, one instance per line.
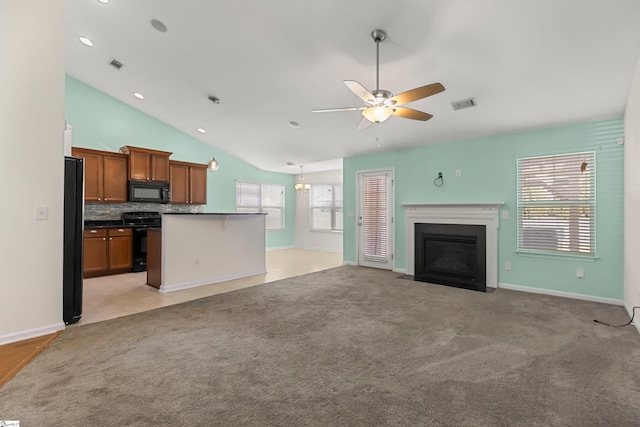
x=375 y=219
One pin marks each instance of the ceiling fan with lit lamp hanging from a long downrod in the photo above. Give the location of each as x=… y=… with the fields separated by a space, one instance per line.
x=381 y=104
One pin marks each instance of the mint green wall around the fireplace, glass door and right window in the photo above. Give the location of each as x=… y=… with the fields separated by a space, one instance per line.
x=489 y=175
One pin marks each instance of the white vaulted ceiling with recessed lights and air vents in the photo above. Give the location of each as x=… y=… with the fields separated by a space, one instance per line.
x=528 y=63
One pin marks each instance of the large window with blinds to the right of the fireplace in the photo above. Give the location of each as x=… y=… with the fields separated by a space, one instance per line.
x=556 y=204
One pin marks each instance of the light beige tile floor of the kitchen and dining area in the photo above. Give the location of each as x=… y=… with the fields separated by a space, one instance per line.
x=119 y=295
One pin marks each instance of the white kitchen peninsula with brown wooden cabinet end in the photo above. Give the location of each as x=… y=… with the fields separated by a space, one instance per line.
x=195 y=249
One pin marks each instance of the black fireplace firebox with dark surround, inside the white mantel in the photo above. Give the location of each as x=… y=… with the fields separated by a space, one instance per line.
x=451 y=254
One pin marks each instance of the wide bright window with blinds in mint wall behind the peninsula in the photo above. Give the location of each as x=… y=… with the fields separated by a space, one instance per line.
x=253 y=197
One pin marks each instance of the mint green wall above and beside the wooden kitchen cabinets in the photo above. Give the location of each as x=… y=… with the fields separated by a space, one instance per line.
x=102 y=122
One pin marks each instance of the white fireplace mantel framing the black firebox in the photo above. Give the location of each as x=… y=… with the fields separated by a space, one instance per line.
x=486 y=214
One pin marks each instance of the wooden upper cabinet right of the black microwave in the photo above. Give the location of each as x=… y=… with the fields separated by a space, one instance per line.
x=188 y=183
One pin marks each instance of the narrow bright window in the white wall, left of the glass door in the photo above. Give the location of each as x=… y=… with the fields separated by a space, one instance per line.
x=325 y=205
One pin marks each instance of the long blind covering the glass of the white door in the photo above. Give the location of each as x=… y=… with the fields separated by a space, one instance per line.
x=374 y=216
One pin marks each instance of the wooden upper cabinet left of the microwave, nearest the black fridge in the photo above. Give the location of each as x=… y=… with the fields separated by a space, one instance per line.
x=105 y=175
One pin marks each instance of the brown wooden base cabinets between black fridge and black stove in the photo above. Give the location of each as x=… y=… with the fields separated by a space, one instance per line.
x=107 y=251
